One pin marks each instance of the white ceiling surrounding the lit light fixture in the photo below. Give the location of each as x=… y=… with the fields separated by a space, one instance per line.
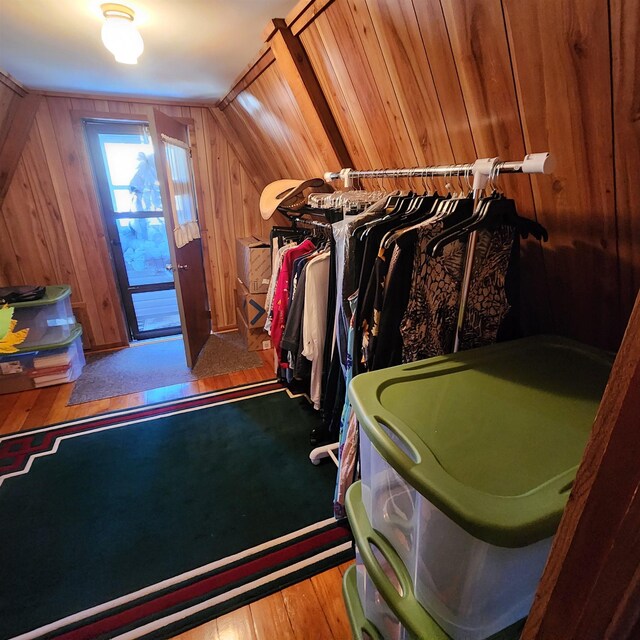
x=193 y=48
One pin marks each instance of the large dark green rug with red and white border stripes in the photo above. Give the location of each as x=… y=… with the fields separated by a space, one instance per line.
x=148 y=521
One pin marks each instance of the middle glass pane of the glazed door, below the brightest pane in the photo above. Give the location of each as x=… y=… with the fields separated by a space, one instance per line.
x=145 y=249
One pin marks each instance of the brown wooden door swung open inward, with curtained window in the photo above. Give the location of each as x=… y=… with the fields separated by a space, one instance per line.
x=186 y=261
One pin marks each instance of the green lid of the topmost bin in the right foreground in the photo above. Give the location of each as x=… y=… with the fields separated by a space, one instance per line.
x=493 y=436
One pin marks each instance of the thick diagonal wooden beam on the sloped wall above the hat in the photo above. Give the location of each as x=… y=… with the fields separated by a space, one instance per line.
x=301 y=78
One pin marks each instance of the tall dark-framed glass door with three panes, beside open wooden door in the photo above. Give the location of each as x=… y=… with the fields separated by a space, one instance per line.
x=122 y=156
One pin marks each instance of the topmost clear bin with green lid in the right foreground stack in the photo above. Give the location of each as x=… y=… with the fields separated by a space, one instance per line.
x=467 y=462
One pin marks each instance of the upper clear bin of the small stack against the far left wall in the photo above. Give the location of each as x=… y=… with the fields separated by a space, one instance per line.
x=50 y=320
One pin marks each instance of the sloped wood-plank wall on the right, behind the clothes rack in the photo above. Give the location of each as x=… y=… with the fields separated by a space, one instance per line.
x=435 y=81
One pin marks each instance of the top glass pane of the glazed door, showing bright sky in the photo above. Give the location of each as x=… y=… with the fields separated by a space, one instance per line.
x=131 y=172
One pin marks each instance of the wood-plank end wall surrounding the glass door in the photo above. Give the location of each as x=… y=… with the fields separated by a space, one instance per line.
x=53 y=223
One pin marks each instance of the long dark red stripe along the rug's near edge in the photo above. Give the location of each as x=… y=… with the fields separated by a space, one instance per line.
x=207 y=585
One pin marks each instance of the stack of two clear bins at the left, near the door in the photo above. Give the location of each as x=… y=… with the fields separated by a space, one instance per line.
x=52 y=352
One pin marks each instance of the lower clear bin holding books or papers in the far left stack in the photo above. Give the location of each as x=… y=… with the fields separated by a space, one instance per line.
x=43 y=366
